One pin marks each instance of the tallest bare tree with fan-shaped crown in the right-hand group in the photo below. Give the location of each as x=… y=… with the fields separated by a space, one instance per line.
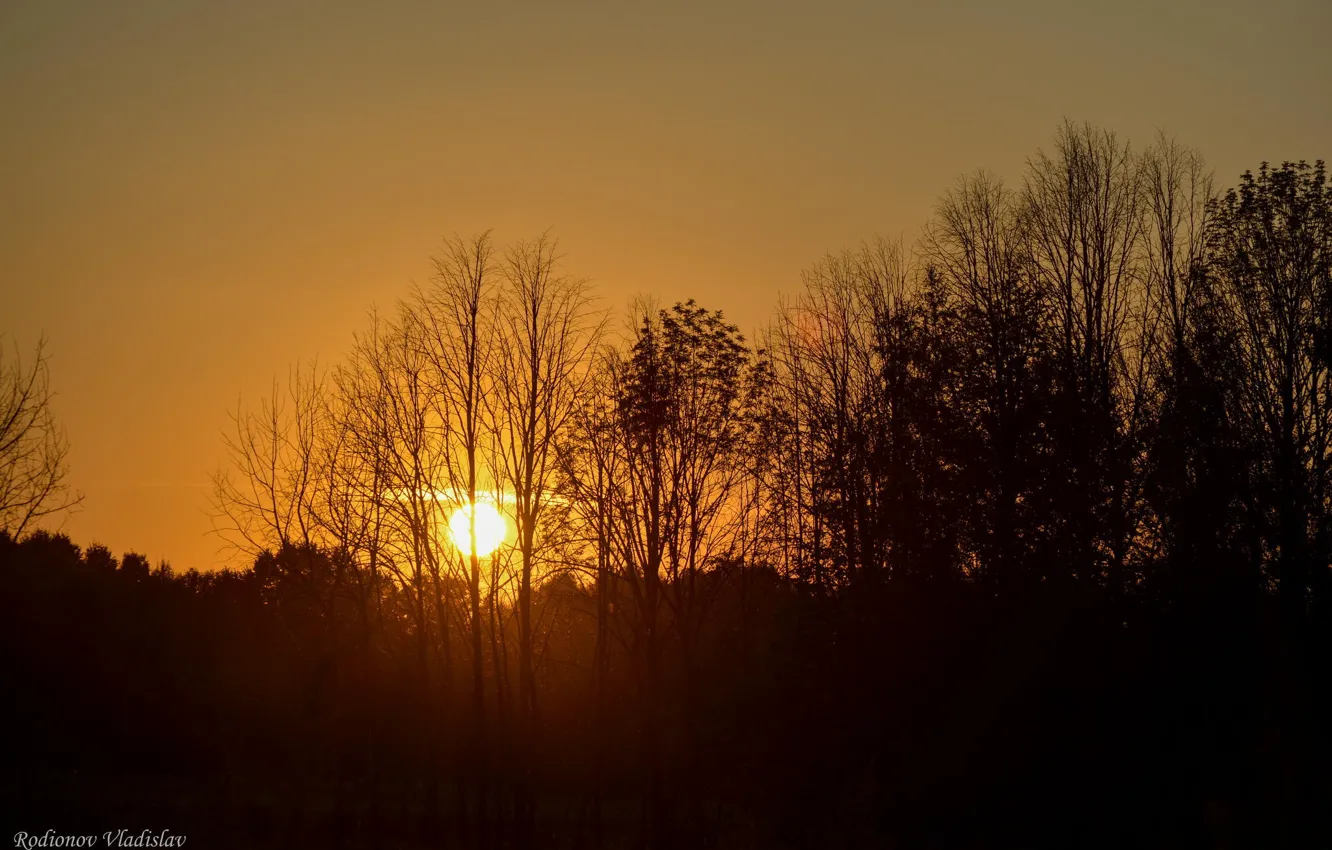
x=1084 y=224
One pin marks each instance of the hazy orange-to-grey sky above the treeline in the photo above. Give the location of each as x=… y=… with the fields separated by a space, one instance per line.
x=196 y=195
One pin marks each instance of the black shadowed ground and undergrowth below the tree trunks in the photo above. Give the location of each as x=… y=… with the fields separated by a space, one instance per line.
x=159 y=701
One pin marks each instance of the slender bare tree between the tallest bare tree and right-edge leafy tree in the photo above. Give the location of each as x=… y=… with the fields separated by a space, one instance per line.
x=1198 y=464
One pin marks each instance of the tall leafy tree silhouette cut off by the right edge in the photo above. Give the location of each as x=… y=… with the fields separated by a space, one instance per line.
x=1271 y=264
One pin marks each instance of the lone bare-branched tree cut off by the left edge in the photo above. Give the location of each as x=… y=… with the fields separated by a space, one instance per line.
x=34 y=448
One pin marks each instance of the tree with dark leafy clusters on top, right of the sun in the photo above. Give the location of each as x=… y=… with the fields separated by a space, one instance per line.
x=679 y=426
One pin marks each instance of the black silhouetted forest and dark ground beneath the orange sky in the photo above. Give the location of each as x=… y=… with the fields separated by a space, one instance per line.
x=1020 y=535
